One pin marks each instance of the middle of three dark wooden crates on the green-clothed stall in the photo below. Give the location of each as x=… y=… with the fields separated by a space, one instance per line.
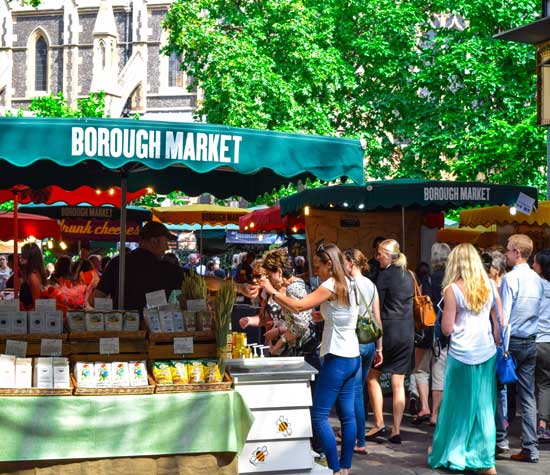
x=88 y=342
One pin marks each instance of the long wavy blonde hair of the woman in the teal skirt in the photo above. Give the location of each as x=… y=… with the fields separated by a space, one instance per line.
x=465 y=263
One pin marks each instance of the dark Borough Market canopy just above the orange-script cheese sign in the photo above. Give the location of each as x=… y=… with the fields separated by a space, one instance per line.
x=62 y=211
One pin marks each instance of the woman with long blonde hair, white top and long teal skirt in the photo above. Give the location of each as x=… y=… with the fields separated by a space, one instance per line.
x=465 y=434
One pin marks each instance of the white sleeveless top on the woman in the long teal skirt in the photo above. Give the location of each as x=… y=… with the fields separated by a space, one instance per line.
x=472 y=340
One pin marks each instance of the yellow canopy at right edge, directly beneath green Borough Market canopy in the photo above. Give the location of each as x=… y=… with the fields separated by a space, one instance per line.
x=501 y=215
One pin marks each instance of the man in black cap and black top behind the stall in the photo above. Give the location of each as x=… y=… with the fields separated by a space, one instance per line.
x=145 y=271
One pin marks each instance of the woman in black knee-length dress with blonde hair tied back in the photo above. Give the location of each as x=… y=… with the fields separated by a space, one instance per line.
x=396 y=290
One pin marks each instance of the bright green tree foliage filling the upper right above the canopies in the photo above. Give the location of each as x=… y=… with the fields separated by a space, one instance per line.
x=433 y=96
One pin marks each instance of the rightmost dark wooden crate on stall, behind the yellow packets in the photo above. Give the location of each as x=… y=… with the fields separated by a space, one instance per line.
x=161 y=345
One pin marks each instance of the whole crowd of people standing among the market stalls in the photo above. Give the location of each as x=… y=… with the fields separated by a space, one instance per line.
x=476 y=292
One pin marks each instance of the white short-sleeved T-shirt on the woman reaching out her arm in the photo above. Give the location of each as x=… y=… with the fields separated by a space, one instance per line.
x=339 y=336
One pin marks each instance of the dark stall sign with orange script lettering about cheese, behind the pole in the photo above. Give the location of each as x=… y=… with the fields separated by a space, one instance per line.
x=96 y=230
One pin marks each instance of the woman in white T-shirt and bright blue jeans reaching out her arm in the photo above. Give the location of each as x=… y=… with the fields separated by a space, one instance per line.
x=339 y=349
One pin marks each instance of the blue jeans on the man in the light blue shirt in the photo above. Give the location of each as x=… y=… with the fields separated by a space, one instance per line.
x=524 y=352
